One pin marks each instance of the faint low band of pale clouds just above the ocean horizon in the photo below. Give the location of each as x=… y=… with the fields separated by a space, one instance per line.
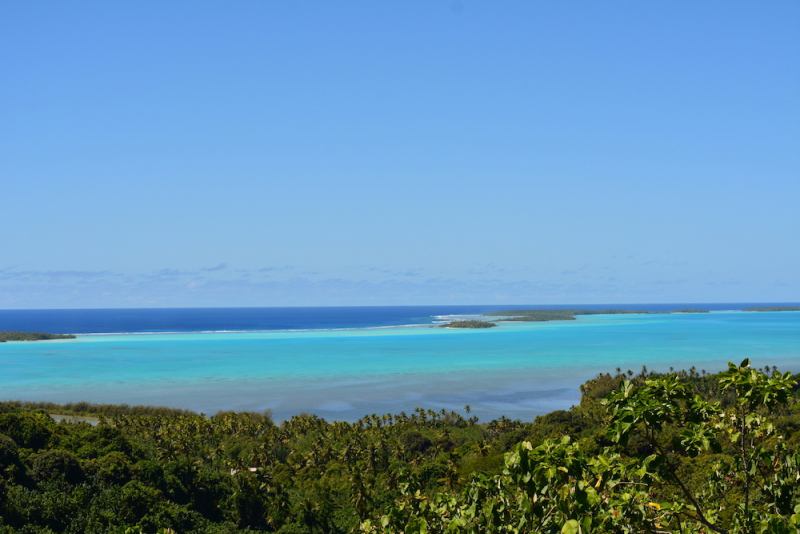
x=290 y=286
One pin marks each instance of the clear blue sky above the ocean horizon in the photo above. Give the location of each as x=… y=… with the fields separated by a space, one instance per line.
x=308 y=153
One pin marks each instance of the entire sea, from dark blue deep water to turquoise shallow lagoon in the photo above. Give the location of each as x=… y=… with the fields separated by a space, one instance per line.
x=343 y=363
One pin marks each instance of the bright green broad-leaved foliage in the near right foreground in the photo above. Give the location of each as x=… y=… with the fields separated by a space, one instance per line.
x=707 y=468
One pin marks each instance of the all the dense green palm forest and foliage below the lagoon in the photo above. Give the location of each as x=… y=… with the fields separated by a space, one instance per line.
x=643 y=452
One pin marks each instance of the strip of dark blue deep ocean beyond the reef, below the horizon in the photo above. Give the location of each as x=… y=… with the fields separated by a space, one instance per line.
x=266 y=319
